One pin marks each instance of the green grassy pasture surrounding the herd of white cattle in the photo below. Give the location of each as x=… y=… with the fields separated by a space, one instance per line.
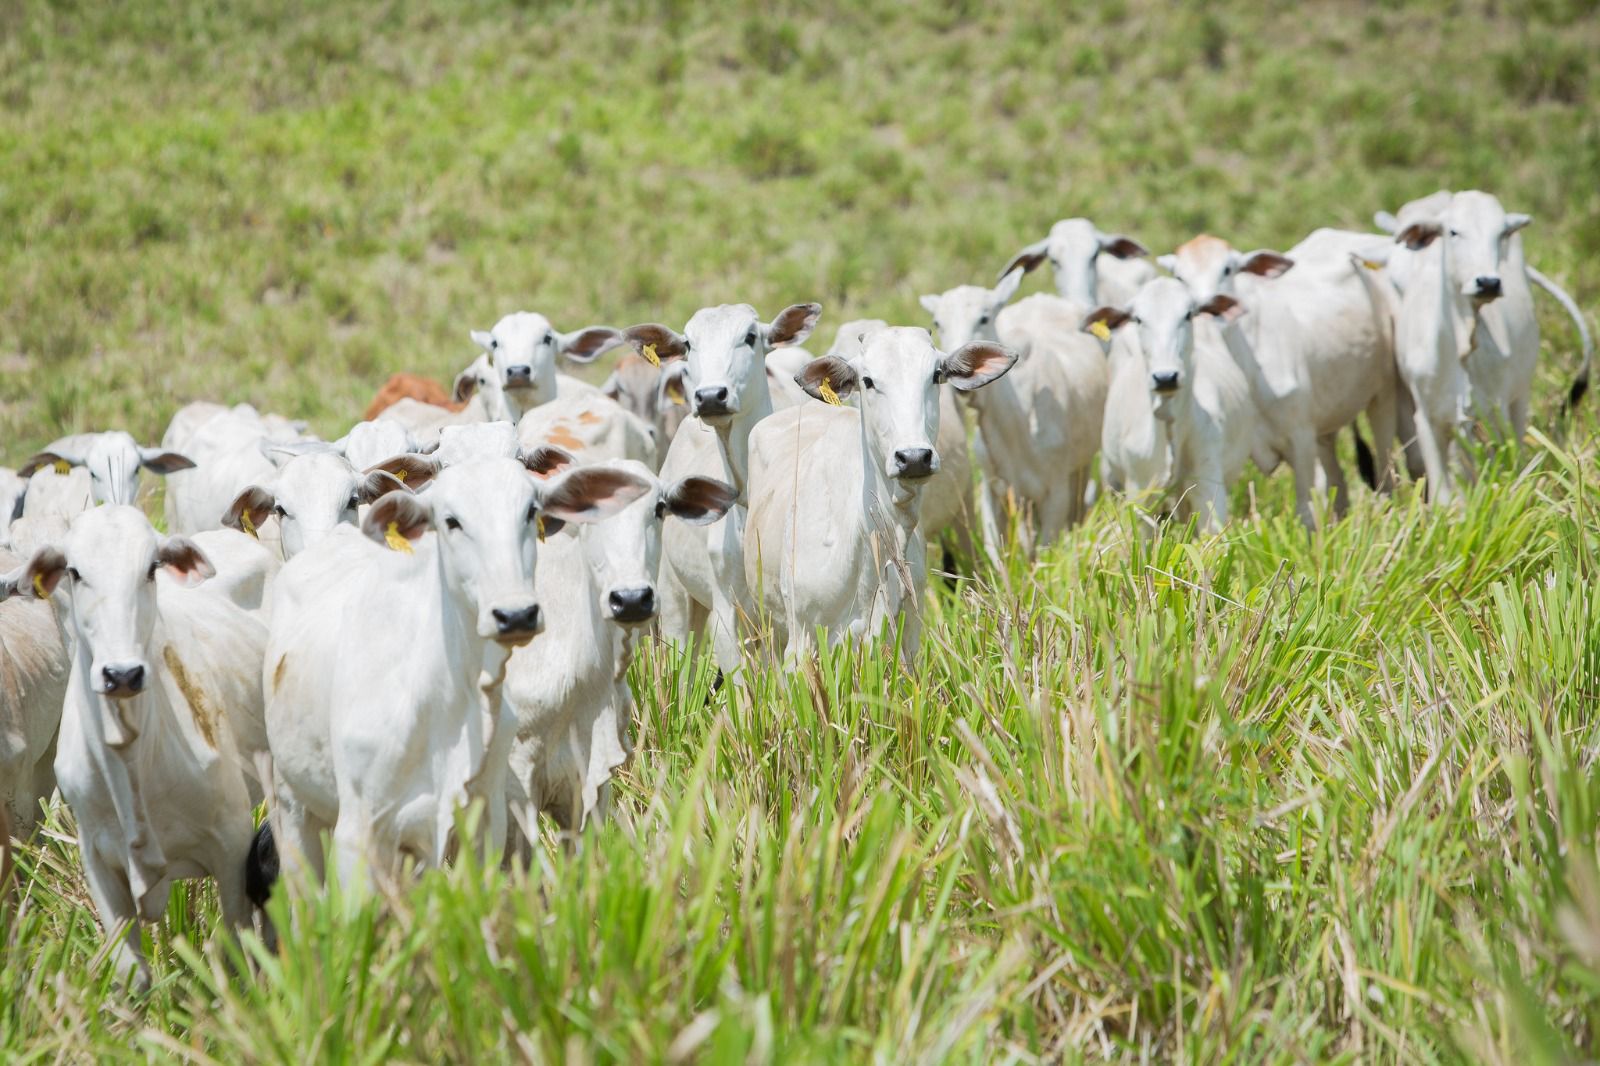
x=1254 y=798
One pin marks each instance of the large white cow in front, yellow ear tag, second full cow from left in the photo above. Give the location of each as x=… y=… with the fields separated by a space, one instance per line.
x=385 y=665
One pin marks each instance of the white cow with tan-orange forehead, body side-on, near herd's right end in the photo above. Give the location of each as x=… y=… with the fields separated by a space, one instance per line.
x=1314 y=342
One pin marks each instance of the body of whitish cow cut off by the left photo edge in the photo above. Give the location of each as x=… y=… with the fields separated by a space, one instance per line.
x=33 y=686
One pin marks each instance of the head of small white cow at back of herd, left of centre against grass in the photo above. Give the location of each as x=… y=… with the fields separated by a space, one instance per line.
x=518 y=369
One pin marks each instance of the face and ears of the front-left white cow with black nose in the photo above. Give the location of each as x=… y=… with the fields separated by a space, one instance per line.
x=110 y=559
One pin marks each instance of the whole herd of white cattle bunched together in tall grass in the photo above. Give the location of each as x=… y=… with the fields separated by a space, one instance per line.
x=351 y=630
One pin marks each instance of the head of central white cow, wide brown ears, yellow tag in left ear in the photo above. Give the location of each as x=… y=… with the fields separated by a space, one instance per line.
x=898 y=375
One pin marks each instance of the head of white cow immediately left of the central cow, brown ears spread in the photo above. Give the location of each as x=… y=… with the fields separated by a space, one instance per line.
x=726 y=355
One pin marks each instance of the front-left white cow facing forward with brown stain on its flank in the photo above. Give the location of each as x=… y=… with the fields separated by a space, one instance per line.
x=148 y=759
